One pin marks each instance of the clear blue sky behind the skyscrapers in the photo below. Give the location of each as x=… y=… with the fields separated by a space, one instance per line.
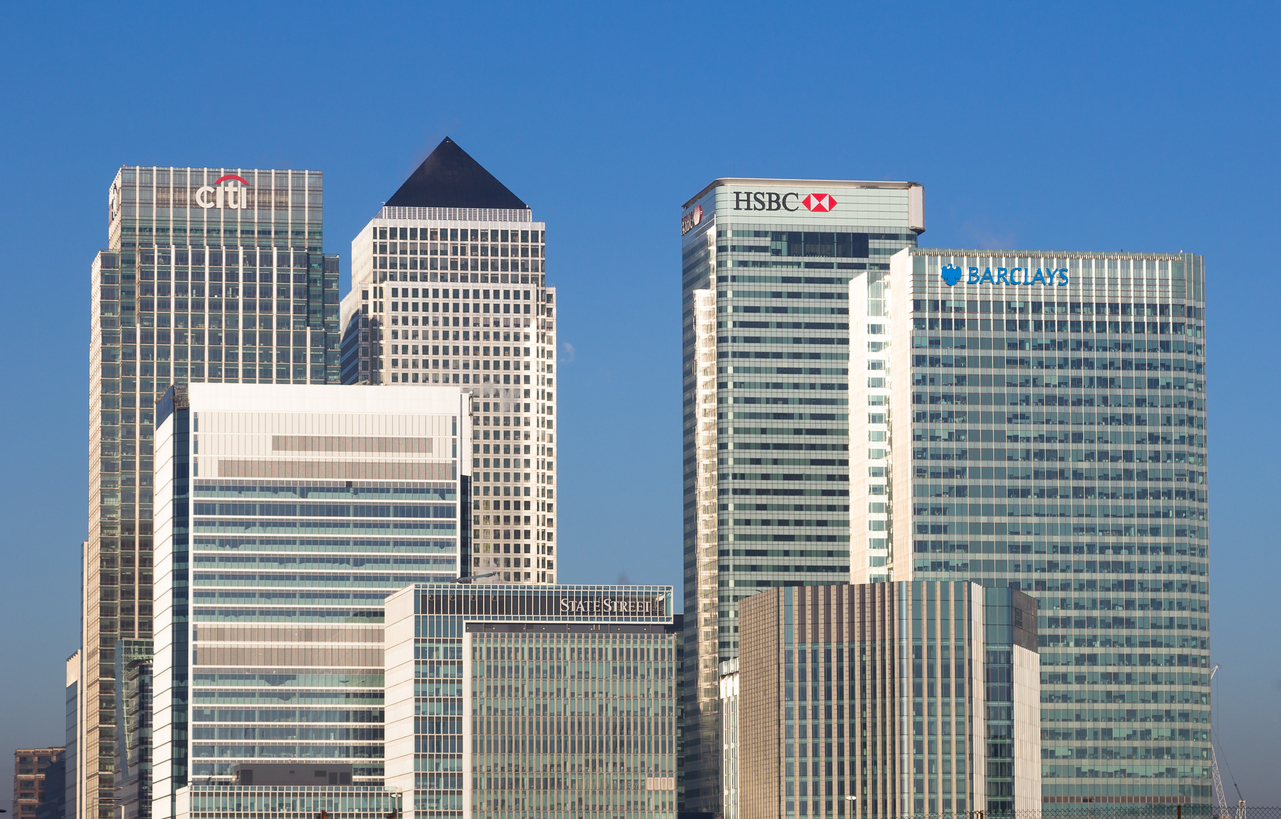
x=1032 y=126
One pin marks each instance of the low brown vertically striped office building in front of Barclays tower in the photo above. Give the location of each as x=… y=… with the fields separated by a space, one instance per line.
x=888 y=700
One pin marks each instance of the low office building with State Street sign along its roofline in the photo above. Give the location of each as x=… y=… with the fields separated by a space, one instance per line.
x=532 y=702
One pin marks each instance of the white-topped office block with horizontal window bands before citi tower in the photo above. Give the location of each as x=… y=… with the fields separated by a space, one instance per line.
x=285 y=516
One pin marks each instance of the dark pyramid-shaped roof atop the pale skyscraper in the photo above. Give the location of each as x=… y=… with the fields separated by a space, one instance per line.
x=452 y=179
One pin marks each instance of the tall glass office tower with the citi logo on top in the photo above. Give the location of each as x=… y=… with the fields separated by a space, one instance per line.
x=209 y=275
